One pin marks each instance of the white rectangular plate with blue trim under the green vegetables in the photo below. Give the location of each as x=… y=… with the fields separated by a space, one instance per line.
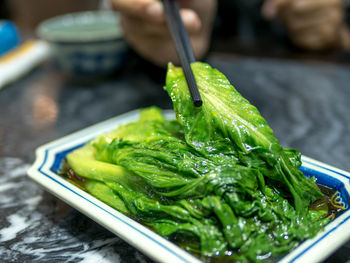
x=48 y=162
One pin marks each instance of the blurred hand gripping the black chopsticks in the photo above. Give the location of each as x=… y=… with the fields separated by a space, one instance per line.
x=146 y=31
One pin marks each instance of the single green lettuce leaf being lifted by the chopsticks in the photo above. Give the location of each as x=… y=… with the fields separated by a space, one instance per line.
x=228 y=123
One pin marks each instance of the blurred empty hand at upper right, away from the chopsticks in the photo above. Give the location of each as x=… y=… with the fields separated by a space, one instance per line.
x=311 y=24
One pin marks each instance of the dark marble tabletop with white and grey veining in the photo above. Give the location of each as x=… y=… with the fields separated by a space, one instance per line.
x=307 y=104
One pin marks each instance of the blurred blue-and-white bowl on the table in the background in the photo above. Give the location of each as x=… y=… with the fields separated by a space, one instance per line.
x=85 y=44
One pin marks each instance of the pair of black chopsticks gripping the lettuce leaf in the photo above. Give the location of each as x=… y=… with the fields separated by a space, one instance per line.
x=183 y=46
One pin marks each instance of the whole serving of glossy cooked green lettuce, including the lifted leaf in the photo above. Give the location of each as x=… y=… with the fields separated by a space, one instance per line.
x=215 y=180
